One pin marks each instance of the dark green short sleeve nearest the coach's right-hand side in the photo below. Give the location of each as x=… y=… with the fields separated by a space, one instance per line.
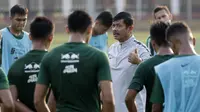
x=138 y=80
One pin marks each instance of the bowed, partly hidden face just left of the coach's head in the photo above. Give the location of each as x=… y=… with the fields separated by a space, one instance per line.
x=99 y=29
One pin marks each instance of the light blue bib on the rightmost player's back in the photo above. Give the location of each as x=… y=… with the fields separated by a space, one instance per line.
x=180 y=79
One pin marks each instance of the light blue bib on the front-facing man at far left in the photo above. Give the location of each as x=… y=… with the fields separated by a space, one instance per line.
x=13 y=47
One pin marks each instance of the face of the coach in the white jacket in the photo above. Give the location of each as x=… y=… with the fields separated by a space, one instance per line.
x=120 y=31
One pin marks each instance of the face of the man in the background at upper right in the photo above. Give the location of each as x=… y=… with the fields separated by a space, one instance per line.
x=163 y=16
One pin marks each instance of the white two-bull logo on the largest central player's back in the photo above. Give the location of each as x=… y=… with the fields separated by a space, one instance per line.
x=70 y=58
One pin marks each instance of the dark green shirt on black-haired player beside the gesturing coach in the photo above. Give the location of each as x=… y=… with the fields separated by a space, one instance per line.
x=144 y=76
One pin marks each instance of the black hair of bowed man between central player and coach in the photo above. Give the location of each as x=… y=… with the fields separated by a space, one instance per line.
x=105 y=18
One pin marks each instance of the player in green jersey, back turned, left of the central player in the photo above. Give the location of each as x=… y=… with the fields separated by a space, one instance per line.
x=24 y=72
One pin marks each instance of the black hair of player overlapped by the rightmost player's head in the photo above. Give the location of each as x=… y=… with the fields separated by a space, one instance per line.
x=157 y=32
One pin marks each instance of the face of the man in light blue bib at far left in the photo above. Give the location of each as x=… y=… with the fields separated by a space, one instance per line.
x=19 y=22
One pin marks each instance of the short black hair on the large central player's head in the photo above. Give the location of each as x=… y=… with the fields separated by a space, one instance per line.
x=79 y=21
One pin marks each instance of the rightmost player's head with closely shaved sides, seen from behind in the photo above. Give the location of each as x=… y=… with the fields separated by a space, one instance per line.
x=180 y=37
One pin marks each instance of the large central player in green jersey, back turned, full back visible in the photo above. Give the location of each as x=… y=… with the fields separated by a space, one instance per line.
x=76 y=72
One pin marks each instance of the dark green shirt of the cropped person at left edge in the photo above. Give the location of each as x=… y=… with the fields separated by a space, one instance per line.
x=3 y=80
